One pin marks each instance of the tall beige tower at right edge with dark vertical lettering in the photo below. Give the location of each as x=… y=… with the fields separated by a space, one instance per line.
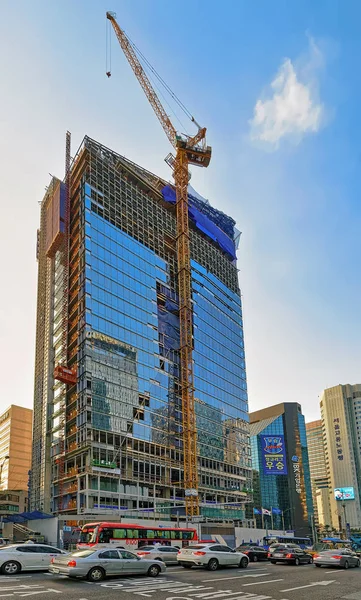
x=341 y=420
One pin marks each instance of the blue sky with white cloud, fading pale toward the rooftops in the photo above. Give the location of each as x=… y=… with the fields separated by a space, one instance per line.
x=277 y=85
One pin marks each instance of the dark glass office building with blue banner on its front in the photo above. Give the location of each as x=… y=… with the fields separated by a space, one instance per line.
x=281 y=472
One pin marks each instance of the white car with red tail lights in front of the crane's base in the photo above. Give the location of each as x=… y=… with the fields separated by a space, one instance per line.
x=211 y=556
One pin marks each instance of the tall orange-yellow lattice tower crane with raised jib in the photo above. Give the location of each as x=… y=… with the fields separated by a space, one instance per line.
x=194 y=151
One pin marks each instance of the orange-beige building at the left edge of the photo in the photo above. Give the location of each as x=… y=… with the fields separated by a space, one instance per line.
x=15 y=449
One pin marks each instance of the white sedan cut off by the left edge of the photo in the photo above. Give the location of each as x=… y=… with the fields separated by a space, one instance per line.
x=26 y=557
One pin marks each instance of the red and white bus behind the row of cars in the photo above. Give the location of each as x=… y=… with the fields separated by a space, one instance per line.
x=131 y=536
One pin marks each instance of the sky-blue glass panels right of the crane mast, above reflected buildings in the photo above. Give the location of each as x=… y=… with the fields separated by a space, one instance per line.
x=219 y=358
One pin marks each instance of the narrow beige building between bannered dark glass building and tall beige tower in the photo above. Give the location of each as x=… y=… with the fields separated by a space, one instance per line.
x=318 y=472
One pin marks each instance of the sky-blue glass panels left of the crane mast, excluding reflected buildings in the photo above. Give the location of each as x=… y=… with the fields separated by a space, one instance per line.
x=121 y=302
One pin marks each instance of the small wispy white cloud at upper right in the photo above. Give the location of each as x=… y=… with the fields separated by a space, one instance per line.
x=292 y=108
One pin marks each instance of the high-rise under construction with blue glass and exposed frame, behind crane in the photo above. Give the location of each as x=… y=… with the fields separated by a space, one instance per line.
x=108 y=425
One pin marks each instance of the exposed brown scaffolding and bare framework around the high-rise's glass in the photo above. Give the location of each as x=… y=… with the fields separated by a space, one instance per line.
x=130 y=198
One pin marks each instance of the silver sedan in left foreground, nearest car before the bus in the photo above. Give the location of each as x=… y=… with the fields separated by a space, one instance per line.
x=97 y=564
